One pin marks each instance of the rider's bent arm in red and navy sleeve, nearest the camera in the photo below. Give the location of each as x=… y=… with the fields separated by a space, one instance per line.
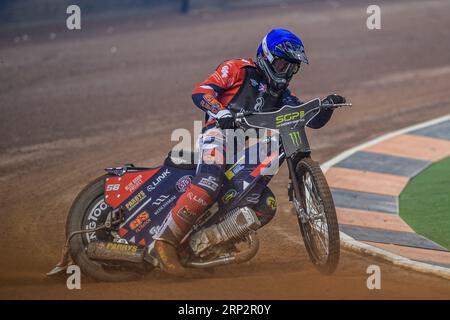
x=206 y=95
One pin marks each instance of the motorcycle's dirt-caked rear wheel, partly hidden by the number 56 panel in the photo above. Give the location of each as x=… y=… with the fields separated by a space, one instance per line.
x=90 y=211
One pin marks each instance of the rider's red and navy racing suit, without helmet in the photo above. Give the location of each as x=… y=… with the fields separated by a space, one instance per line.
x=236 y=85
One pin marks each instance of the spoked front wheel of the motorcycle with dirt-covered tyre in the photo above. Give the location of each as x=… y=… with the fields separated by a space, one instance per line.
x=317 y=216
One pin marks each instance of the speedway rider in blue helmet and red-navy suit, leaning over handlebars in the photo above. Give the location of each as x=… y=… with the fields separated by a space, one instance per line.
x=235 y=85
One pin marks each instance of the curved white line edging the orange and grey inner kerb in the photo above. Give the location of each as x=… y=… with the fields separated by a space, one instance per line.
x=354 y=245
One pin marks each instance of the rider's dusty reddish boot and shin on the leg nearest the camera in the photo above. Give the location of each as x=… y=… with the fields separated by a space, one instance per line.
x=182 y=217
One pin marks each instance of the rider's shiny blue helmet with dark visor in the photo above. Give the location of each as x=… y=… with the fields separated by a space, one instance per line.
x=279 y=57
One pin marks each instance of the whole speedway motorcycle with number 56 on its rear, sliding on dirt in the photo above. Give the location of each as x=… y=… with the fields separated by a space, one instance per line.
x=113 y=220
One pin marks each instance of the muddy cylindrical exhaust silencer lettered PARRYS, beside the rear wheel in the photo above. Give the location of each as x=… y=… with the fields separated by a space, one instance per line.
x=115 y=252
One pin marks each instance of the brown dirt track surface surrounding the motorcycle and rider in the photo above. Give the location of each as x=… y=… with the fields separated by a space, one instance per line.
x=70 y=107
